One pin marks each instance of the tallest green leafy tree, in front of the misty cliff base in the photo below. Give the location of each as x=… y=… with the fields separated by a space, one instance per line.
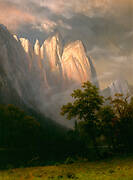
x=84 y=108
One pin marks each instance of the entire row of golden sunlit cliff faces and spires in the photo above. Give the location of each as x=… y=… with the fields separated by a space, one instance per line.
x=61 y=65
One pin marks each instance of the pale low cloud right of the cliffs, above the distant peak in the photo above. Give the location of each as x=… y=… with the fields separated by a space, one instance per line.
x=112 y=64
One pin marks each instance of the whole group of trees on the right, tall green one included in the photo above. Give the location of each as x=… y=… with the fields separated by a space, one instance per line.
x=101 y=122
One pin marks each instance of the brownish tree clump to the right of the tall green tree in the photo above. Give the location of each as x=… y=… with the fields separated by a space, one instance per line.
x=117 y=122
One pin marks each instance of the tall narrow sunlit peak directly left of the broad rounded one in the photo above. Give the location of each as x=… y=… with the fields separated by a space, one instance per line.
x=51 y=55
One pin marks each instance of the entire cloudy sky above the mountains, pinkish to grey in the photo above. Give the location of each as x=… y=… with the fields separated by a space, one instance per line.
x=104 y=26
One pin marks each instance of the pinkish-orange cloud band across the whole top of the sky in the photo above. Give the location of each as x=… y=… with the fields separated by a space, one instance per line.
x=32 y=11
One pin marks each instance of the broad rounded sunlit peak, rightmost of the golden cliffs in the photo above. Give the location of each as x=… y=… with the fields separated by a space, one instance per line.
x=76 y=65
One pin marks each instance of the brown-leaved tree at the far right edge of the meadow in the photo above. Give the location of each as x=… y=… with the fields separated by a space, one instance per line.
x=123 y=124
